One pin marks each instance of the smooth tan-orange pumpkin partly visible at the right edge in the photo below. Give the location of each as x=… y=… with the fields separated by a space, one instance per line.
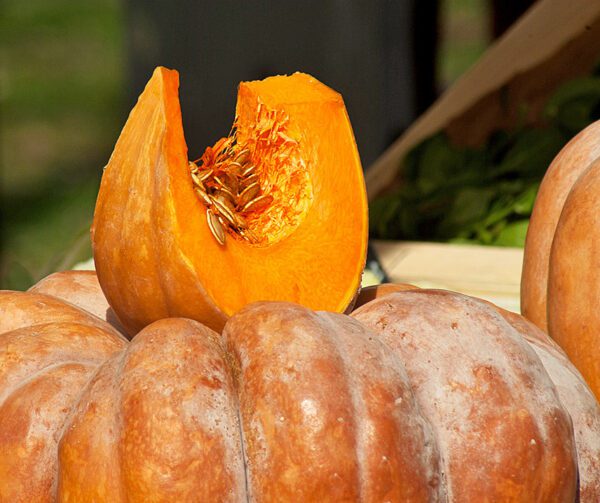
x=560 y=280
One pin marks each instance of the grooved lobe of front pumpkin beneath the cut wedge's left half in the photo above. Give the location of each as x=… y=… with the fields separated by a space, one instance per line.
x=157 y=423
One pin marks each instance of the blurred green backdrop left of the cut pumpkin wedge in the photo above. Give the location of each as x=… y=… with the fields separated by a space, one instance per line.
x=62 y=108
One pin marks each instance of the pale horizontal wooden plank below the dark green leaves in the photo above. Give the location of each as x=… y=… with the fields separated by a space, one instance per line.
x=489 y=272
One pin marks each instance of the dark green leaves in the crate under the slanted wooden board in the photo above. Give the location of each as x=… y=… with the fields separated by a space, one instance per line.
x=483 y=195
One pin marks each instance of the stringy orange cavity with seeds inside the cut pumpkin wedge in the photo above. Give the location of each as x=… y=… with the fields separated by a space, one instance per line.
x=254 y=184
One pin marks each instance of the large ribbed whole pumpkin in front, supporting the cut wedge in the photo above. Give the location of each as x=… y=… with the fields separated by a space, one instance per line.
x=418 y=396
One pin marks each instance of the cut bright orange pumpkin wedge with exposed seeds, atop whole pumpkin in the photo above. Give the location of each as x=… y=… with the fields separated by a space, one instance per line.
x=261 y=215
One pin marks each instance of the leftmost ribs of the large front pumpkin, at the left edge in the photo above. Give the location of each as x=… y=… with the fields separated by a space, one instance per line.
x=43 y=367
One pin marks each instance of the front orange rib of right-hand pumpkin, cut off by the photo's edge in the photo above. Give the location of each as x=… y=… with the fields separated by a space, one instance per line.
x=574 y=278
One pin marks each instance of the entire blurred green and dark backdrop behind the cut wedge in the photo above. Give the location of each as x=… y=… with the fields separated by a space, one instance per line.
x=71 y=71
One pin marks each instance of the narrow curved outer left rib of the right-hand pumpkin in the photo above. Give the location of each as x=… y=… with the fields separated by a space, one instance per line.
x=563 y=172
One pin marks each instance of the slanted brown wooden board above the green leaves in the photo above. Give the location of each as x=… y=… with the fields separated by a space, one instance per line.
x=547 y=28
